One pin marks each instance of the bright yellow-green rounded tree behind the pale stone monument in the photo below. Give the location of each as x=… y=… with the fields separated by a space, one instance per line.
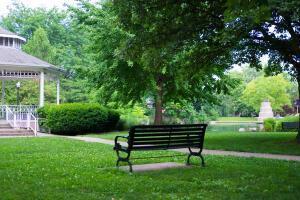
x=272 y=88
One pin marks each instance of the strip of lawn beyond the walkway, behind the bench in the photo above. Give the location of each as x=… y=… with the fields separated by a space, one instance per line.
x=259 y=142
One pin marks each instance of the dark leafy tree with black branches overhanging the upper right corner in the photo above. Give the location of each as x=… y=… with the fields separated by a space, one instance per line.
x=267 y=27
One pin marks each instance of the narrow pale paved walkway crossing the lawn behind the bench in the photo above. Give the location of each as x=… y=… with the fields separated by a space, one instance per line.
x=205 y=151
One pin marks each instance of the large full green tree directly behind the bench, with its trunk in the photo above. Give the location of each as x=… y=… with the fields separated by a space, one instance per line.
x=168 y=50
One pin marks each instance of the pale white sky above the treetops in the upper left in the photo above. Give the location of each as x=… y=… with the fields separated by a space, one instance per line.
x=35 y=3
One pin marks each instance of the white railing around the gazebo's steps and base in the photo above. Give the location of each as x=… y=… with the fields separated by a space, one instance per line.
x=22 y=117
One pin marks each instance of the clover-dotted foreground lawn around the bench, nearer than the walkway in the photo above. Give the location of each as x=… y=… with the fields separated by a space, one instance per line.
x=59 y=168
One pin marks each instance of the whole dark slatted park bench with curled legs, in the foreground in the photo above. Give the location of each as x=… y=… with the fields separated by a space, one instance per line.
x=162 y=137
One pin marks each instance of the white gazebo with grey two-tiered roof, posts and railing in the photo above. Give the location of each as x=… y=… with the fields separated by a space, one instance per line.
x=15 y=65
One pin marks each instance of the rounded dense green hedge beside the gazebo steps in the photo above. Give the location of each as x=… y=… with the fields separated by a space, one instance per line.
x=78 y=118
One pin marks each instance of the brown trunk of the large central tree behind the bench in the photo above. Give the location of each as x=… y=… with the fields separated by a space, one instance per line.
x=158 y=119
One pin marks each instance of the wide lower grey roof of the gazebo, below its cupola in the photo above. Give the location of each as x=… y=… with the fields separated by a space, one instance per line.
x=15 y=59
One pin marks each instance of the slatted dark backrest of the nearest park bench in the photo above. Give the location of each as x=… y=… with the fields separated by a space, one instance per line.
x=166 y=136
